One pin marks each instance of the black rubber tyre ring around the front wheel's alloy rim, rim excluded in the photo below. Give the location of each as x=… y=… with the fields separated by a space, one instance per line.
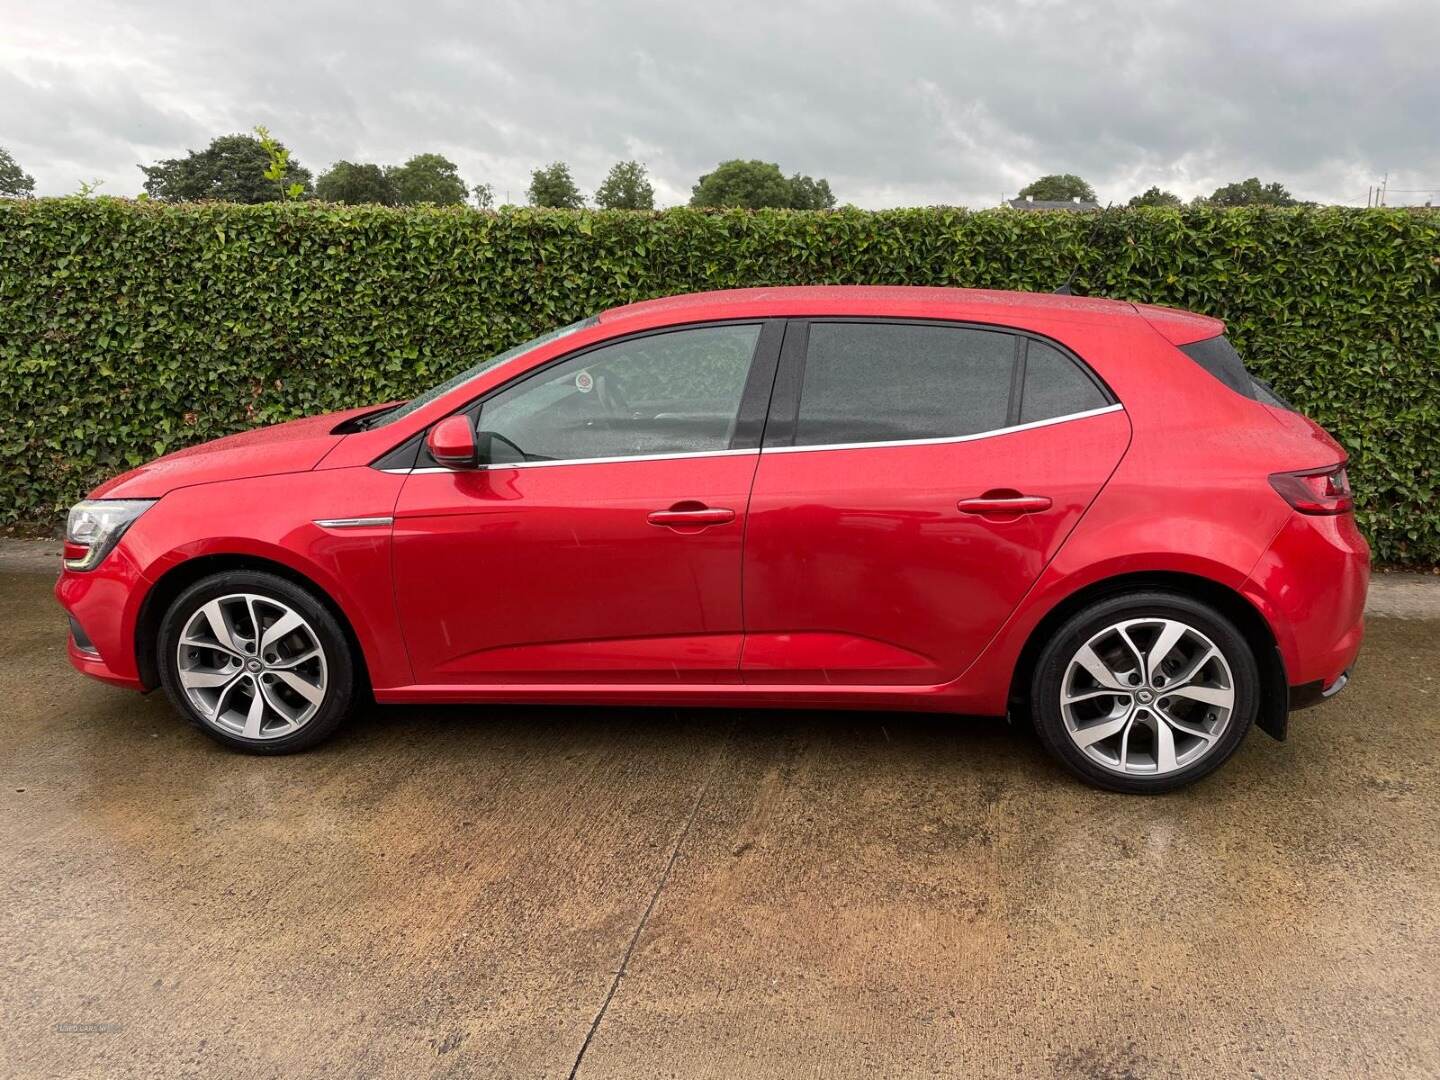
x=339 y=662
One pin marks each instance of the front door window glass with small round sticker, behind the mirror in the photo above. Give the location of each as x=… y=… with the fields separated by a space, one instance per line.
x=667 y=394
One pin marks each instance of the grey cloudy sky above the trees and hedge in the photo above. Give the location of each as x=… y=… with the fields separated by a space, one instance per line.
x=895 y=102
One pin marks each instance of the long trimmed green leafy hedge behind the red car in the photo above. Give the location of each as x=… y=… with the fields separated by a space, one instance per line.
x=133 y=329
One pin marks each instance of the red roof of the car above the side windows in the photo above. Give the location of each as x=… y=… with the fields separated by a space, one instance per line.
x=989 y=306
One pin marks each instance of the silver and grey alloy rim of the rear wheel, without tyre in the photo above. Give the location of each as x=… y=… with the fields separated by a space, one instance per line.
x=1147 y=698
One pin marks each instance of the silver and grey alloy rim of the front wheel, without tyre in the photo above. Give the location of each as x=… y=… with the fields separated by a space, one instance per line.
x=251 y=666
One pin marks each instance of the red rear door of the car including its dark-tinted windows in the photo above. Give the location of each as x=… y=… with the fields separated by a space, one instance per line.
x=917 y=477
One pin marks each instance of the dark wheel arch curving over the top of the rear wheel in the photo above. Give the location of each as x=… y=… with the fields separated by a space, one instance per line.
x=1275 y=689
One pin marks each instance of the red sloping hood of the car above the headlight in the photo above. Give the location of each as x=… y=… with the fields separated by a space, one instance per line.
x=294 y=447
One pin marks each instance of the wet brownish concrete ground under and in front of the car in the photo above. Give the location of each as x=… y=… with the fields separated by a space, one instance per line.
x=512 y=892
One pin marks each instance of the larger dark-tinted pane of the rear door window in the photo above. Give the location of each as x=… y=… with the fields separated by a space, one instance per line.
x=881 y=382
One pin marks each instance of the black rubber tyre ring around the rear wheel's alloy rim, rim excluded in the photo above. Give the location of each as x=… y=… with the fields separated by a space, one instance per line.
x=1078 y=630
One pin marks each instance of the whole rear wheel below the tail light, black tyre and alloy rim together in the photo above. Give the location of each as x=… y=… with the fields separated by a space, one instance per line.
x=1101 y=703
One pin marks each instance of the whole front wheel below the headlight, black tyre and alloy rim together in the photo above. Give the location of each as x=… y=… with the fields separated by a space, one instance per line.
x=284 y=698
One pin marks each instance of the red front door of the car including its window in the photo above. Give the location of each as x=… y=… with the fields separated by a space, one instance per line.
x=603 y=539
